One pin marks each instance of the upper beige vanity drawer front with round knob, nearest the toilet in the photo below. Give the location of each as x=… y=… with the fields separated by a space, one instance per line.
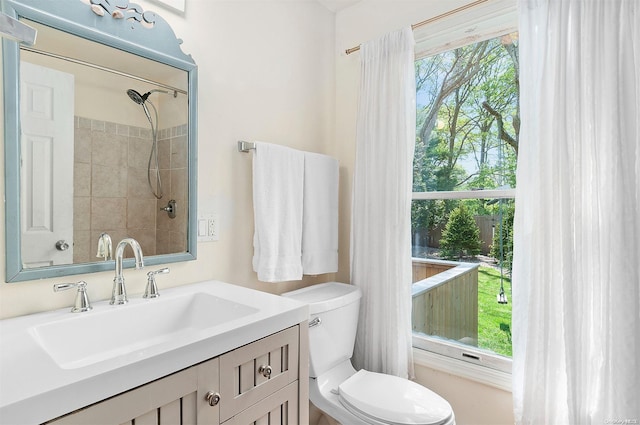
x=254 y=371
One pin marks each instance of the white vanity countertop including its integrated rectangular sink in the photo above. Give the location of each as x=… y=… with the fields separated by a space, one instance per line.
x=54 y=362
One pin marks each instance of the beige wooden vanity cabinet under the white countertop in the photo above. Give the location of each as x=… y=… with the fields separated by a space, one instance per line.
x=256 y=383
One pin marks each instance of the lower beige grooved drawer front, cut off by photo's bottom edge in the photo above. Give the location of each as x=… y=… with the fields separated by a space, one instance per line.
x=280 y=408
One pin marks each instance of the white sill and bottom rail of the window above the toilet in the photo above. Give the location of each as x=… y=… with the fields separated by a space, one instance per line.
x=476 y=372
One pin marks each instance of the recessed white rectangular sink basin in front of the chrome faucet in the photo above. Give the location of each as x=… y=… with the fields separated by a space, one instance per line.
x=83 y=339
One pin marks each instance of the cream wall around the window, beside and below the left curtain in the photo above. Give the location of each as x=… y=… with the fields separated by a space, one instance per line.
x=473 y=403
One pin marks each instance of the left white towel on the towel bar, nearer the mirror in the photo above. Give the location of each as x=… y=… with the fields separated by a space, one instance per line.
x=278 y=174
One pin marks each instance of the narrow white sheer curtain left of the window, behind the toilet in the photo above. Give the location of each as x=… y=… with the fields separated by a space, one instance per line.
x=381 y=214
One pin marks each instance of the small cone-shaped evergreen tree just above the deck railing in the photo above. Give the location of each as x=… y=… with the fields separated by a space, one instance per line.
x=461 y=235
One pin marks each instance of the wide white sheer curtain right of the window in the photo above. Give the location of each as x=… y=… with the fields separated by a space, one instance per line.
x=576 y=278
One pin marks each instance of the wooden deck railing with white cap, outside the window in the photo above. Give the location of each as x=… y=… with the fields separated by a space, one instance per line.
x=445 y=299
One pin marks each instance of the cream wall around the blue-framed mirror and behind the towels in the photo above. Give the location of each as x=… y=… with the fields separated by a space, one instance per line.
x=266 y=72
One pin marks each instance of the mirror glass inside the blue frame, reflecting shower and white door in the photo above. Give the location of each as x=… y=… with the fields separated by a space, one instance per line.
x=104 y=141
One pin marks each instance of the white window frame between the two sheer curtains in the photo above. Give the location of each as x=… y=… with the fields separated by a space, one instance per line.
x=482 y=22
